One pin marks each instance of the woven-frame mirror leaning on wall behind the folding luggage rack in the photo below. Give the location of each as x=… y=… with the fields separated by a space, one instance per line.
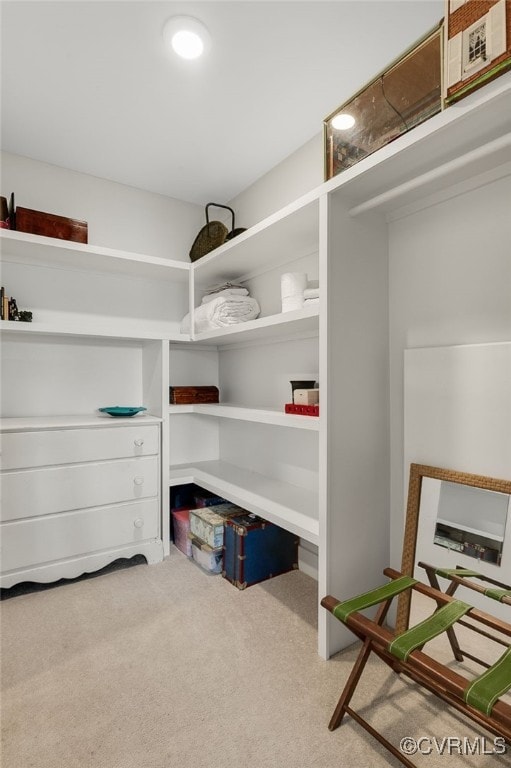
x=455 y=519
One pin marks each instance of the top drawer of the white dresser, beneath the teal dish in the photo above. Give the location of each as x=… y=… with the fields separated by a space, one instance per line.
x=69 y=446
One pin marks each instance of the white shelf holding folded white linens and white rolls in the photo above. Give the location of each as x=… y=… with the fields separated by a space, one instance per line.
x=299 y=322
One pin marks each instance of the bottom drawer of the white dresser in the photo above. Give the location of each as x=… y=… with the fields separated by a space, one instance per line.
x=46 y=539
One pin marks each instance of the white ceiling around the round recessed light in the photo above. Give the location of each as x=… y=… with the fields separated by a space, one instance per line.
x=89 y=86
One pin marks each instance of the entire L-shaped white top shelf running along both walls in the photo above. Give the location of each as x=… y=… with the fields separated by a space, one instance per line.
x=468 y=140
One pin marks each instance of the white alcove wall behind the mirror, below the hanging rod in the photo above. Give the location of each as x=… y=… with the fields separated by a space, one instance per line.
x=450 y=283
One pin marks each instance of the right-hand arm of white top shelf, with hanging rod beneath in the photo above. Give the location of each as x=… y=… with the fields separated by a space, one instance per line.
x=464 y=141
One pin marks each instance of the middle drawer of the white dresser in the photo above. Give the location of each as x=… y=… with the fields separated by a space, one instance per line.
x=35 y=492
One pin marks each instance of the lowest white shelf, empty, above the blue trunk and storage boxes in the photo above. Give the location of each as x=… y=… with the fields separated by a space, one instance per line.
x=291 y=507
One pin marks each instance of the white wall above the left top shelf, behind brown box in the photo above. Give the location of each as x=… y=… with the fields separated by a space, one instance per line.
x=118 y=216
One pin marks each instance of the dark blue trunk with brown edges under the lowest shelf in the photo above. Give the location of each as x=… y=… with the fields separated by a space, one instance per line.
x=255 y=550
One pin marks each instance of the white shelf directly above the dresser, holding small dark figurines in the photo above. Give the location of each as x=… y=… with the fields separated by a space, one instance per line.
x=110 y=331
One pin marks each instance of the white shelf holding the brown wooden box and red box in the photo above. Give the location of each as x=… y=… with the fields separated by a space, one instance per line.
x=242 y=413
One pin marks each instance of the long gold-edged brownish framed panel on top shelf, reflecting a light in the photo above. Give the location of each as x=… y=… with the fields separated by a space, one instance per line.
x=404 y=95
